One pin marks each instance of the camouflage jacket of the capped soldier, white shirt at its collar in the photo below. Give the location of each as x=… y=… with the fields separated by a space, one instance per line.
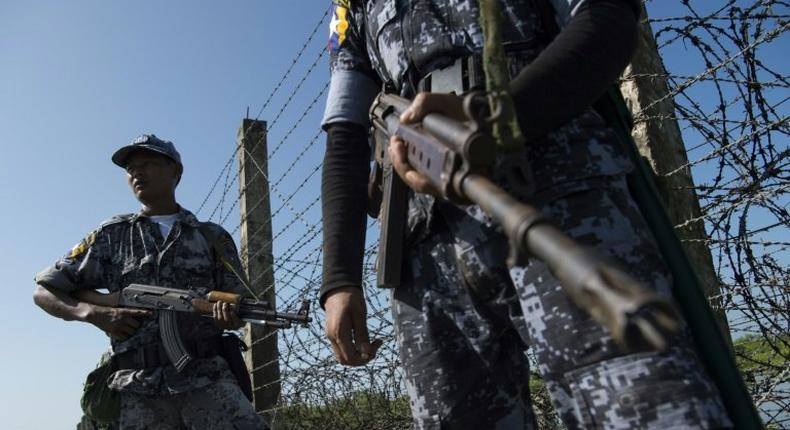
x=129 y=249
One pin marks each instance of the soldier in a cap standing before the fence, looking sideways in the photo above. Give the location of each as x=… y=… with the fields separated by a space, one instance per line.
x=161 y=245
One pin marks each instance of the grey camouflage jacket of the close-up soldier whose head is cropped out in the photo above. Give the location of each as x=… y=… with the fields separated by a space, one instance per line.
x=394 y=43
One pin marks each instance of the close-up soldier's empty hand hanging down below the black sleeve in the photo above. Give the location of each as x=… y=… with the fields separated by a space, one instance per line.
x=346 y=327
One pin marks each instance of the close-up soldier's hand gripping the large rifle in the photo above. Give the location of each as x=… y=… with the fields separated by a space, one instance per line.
x=447 y=104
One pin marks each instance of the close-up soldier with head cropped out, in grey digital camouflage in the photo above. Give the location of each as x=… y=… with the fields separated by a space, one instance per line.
x=464 y=319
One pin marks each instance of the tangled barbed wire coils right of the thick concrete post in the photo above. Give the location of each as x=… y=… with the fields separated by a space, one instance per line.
x=743 y=127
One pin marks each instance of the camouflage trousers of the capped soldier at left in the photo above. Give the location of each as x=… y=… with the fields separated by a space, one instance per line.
x=219 y=405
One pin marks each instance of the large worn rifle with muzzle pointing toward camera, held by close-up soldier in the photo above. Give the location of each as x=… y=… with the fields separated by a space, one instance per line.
x=455 y=157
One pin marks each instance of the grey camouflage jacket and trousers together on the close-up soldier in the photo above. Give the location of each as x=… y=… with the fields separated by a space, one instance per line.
x=463 y=318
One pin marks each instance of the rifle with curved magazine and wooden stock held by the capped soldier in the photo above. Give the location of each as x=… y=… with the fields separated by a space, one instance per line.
x=168 y=301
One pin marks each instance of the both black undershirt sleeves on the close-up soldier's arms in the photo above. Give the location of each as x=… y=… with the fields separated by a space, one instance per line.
x=569 y=75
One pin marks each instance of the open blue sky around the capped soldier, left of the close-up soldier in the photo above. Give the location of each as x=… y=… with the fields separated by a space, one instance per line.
x=80 y=79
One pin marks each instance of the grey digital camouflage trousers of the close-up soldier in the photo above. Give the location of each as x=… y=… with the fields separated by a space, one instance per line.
x=464 y=320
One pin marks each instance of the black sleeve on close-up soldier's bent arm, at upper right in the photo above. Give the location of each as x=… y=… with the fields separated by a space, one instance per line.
x=576 y=68
